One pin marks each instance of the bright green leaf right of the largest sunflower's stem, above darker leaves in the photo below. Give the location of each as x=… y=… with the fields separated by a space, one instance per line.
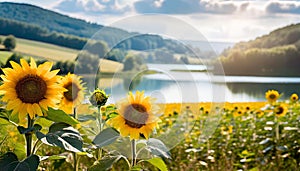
x=60 y=116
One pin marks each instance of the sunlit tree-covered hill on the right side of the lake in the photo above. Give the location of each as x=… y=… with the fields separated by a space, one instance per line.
x=275 y=54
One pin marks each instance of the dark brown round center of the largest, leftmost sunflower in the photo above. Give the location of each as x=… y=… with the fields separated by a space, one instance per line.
x=31 y=89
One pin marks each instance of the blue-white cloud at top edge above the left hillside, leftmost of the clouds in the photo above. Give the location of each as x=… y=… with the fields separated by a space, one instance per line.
x=93 y=6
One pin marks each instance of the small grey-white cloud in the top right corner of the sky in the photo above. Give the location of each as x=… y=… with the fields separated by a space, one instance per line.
x=292 y=7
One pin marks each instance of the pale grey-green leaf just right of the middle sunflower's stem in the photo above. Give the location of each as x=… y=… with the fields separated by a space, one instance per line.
x=156 y=147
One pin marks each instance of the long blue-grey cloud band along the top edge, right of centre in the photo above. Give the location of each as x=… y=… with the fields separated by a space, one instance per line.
x=188 y=6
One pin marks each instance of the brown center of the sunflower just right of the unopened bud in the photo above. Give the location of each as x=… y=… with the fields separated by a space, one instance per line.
x=135 y=115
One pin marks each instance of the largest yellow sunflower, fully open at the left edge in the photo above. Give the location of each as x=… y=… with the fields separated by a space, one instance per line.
x=30 y=89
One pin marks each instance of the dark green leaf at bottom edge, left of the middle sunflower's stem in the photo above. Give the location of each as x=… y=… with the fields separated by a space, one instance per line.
x=105 y=163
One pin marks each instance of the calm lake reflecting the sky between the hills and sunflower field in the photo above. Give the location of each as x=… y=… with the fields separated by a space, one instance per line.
x=170 y=86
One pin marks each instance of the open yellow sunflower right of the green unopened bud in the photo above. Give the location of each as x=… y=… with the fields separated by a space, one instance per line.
x=136 y=116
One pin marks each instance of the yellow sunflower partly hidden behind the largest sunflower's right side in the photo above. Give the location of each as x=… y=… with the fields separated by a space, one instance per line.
x=74 y=94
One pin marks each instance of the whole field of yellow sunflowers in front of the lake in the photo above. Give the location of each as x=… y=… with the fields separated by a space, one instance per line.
x=45 y=126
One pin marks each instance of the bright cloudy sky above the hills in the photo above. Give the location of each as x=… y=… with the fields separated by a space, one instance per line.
x=216 y=20
